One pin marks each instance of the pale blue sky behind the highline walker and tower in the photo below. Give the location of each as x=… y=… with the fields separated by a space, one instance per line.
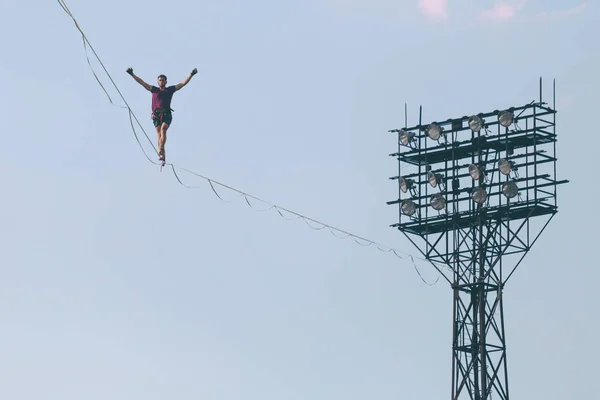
x=117 y=283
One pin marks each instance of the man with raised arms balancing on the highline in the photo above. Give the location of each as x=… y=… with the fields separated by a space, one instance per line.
x=161 y=105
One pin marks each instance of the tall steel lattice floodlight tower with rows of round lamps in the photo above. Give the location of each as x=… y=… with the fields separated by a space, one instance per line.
x=475 y=193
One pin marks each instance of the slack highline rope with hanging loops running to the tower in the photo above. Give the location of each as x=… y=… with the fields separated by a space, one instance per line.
x=212 y=182
